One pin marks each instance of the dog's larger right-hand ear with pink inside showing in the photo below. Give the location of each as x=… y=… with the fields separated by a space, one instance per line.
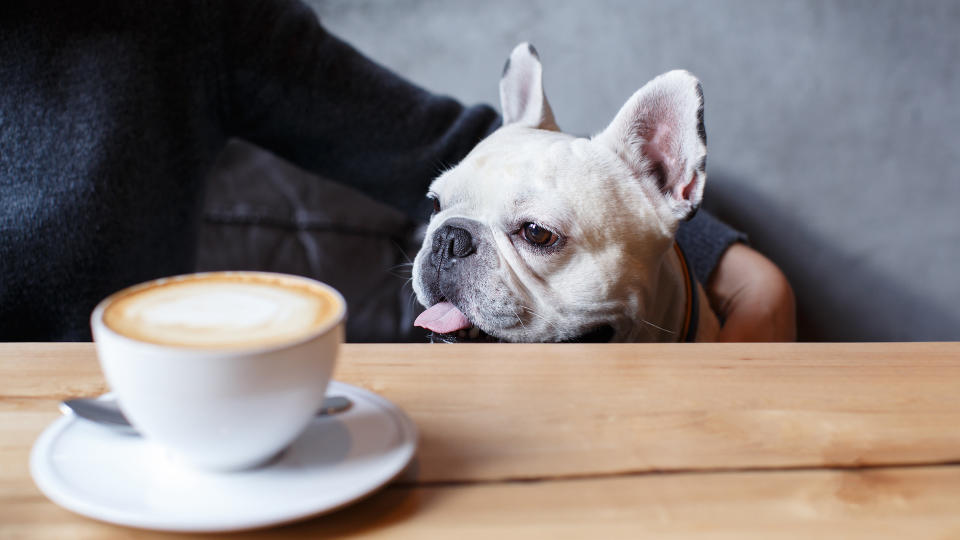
x=659 y=133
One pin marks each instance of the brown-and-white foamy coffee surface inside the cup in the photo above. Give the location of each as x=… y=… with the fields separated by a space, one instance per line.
x=222 y=310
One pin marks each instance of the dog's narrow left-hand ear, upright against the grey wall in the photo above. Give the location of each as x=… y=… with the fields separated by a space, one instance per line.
x=522 y=100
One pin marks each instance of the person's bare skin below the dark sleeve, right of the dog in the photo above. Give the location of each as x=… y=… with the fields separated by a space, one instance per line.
x=753 y=296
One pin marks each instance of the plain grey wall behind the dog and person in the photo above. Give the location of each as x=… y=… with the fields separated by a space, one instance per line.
x=834 y=127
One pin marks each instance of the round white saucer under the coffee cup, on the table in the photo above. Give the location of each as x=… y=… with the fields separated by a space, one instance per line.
x=126 y=480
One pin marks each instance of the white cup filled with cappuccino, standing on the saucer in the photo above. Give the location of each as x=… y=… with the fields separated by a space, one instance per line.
x=222 y=369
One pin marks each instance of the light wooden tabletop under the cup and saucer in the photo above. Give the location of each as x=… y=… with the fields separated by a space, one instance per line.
x=597 y=441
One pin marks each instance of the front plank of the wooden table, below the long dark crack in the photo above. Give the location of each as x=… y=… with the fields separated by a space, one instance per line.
x=885 y=503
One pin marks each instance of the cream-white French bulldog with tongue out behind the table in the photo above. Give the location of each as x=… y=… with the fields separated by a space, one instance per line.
x=541 y=236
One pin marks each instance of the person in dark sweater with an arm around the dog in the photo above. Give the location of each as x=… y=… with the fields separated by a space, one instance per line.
x=112 y=113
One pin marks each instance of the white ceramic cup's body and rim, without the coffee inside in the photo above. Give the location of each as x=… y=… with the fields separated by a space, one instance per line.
x=226 y=408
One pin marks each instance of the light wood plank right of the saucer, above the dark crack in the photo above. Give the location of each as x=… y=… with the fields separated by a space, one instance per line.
x=529 y=411
